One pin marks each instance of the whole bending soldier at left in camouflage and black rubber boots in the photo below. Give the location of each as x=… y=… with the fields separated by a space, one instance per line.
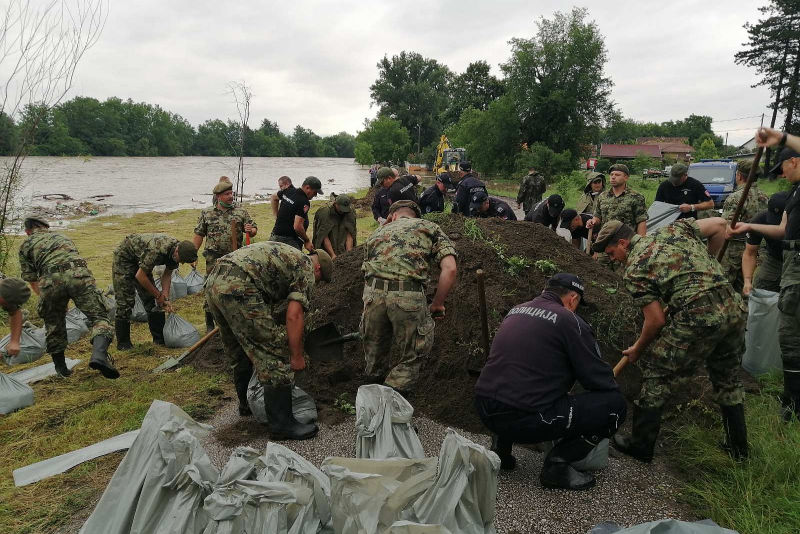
x=57 y=273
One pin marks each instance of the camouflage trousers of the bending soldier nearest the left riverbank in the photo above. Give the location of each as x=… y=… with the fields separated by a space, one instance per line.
x=56 y=290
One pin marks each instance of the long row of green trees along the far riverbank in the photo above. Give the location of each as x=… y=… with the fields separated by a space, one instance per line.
x=115 y=127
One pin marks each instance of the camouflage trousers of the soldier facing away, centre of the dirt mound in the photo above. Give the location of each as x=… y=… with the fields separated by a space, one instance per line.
x=401 y=318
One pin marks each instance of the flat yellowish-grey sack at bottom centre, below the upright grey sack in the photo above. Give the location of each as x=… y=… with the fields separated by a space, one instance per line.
x=368 y=496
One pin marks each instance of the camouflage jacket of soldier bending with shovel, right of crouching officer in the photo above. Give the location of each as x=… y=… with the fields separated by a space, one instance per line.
x=671 y=265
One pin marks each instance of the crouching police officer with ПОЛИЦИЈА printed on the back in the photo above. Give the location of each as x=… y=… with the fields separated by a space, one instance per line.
x=541 y=349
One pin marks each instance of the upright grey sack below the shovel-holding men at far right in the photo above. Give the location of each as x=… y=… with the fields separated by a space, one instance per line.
x=763 y=352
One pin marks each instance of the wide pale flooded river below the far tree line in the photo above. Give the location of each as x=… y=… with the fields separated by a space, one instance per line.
x=167 y=184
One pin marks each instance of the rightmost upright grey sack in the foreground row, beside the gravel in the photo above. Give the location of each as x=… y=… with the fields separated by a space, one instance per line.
x=464 y=494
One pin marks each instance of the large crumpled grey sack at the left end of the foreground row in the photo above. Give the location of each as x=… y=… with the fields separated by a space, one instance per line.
x=162 y=481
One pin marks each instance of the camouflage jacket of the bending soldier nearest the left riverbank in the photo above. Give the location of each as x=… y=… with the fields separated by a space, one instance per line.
x=43 y=252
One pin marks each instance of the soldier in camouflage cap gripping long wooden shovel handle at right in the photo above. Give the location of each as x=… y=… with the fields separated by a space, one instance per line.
x=756 y=203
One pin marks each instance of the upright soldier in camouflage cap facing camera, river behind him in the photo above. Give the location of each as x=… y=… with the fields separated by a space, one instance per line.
x=215 y=224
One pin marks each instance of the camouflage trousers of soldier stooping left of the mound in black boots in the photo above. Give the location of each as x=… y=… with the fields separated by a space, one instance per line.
x=247 y=326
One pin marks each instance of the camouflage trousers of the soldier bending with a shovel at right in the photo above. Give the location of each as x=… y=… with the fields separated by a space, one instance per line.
x=710 y=331
